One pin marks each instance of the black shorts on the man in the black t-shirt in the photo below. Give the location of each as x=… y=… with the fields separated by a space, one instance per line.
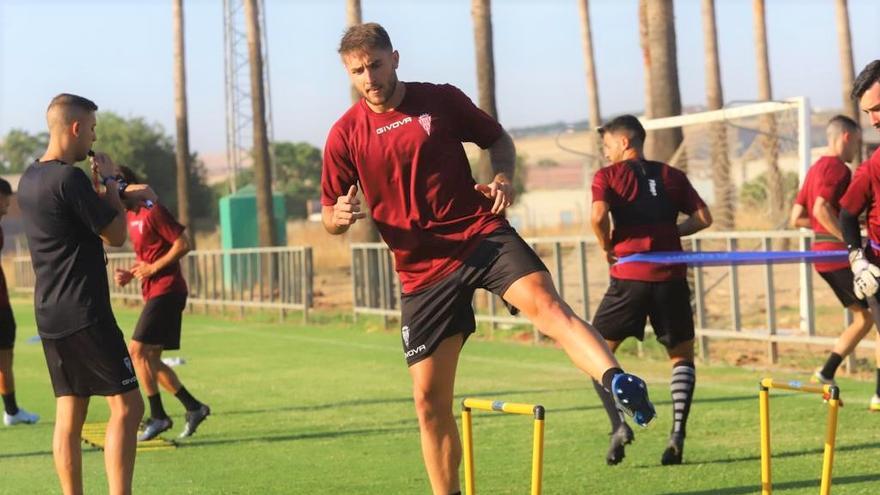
x=91 y=361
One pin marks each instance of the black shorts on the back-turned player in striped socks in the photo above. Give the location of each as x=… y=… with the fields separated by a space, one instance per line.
x=628 y=303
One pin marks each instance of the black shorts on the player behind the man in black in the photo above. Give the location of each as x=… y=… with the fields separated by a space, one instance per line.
x=159 y=323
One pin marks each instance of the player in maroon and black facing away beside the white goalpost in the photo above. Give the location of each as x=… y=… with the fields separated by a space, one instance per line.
x=817 y=207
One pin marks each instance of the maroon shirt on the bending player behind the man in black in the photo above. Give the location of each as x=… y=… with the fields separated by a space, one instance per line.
x=152 y=232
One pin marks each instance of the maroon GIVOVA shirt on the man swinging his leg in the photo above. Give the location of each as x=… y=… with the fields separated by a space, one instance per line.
x=415 y=177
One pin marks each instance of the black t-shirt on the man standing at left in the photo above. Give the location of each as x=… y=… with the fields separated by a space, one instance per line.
x=62 y=219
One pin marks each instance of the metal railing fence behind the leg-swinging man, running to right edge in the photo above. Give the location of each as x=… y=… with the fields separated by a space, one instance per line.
x=581 y=280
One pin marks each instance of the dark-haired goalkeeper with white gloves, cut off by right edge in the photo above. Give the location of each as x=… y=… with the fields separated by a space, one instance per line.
x=863 y=194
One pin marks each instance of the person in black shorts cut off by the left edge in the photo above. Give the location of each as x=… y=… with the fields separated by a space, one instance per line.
x=12 y=414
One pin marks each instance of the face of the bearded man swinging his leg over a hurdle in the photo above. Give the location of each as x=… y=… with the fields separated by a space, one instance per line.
x=373 y=73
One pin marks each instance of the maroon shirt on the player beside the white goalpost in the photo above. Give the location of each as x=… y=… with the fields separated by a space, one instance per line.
x=828 y=178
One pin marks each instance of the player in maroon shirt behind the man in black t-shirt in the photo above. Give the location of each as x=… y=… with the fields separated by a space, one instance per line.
x=159 y=243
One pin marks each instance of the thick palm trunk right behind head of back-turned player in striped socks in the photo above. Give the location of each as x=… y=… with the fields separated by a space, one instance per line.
x=665 y=95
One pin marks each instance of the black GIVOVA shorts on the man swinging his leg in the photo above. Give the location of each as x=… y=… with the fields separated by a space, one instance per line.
x=444 y=309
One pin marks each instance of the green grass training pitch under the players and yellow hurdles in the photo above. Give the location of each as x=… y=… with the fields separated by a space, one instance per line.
x=326 y=408
